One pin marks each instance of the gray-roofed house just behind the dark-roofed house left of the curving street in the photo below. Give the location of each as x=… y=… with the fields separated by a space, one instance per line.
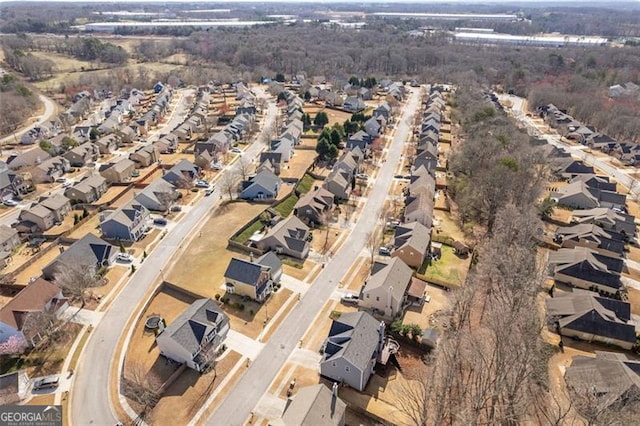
x=127 y=223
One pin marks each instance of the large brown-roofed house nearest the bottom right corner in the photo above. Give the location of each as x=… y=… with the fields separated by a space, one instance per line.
x=610 y=377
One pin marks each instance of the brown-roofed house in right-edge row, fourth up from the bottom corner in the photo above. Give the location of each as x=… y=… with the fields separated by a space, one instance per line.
x=606 y=242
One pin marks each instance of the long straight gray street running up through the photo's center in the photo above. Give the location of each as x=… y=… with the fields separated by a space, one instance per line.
x=241 y=400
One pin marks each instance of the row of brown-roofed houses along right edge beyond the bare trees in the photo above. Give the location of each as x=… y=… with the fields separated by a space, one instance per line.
x=591 y=259
